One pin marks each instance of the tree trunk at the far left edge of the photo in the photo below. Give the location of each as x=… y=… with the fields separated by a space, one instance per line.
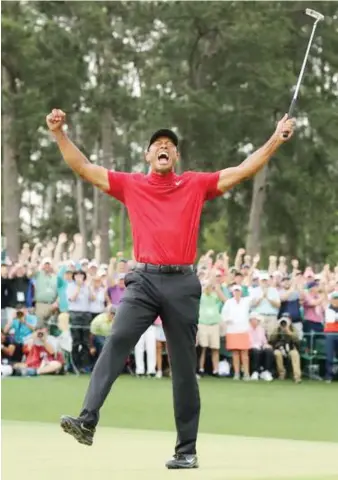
x=10 y=185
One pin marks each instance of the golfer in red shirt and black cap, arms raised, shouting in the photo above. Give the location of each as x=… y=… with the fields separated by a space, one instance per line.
x=164 y=211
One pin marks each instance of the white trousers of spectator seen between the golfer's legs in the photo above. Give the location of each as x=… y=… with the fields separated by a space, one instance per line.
x=147 y=343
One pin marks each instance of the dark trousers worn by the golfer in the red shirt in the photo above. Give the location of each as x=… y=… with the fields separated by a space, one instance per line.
x=175 y=298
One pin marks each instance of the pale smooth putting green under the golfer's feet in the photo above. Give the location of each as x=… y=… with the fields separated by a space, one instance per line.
x=42 y=451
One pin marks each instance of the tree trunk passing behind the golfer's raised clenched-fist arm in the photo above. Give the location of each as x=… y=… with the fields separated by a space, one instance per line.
x=105 y=202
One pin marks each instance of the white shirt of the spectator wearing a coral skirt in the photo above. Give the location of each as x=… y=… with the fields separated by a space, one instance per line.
x=236 y=315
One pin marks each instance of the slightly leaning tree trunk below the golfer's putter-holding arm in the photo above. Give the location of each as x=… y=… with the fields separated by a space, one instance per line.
x=253 y=241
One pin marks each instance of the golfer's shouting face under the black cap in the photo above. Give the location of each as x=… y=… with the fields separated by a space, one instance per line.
x=162 y=155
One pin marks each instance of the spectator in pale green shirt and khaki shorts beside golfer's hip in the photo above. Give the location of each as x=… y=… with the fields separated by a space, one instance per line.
x=209 y=327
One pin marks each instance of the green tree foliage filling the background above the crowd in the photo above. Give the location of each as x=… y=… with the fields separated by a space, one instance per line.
x=220 y=73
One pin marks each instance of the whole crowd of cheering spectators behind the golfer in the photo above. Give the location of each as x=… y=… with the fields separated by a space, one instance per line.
x=254 y=323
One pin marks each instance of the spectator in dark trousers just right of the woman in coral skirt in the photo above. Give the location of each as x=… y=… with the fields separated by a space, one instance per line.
x=260 y=353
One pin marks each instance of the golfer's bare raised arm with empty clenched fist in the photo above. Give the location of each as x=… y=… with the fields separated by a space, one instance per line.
x=73 y=156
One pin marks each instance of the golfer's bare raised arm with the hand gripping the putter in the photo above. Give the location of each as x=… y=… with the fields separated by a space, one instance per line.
x=230 y=177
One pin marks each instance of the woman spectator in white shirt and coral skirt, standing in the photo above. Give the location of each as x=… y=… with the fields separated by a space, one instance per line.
x=235 y=314
